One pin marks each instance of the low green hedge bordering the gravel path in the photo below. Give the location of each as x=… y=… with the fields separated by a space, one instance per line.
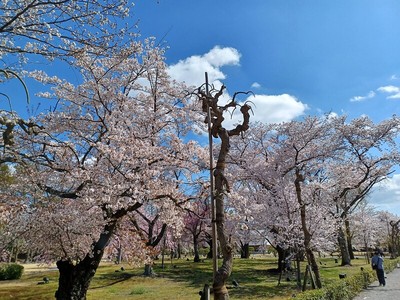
x=347 y=288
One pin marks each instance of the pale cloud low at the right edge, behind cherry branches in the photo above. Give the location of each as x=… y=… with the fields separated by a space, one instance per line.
x=386 y=195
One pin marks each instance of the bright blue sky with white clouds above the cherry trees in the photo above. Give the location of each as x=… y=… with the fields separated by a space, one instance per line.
x=298 y=57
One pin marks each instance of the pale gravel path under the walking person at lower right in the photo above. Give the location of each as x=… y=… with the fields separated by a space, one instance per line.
x=389 y=292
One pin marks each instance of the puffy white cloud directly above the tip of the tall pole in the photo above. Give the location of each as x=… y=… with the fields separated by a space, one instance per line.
x=192 y=69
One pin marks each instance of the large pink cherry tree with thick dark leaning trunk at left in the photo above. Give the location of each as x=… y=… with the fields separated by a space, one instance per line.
x=108 y=150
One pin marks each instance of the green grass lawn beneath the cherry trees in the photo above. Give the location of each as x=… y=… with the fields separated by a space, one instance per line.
x=180 y=279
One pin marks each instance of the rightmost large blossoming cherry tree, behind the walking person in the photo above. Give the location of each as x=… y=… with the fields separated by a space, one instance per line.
x=369 y=154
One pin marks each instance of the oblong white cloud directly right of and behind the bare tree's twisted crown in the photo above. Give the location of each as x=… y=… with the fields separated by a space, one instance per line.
x=270 y=109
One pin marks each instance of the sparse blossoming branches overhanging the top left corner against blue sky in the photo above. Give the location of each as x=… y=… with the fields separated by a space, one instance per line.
x=61 y=28
